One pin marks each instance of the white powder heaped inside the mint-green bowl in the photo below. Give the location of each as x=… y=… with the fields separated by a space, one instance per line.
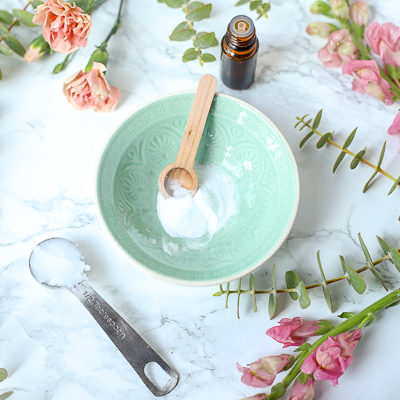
x=205 y=213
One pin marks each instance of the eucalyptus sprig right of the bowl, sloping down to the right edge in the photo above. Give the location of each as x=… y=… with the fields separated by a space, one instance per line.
x=324 y=138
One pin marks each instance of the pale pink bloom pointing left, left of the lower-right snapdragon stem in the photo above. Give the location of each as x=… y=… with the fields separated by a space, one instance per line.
x=262 y=372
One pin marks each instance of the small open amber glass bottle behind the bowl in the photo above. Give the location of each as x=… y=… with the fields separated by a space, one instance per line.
x=239 y=53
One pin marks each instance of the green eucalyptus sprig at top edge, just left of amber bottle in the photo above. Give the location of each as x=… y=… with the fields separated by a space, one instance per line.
x=194 y=11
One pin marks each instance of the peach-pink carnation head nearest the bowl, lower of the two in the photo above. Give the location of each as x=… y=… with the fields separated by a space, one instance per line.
x=90 y=90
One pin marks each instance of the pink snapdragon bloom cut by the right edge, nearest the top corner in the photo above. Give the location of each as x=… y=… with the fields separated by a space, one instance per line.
x=384 y=40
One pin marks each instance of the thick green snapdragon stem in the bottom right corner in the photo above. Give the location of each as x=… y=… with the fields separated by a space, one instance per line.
x=345 y=326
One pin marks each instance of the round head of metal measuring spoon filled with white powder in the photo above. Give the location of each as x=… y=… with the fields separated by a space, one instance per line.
x=58 y=262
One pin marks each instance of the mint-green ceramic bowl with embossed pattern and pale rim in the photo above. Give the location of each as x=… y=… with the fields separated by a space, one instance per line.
x=237 y=138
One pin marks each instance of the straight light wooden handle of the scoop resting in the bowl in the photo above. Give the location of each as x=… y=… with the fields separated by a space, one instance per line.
x=197 y=119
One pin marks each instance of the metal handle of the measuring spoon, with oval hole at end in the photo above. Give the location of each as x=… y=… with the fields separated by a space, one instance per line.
x=136 y=351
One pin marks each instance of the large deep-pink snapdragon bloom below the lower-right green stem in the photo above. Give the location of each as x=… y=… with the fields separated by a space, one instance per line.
x=333 y=357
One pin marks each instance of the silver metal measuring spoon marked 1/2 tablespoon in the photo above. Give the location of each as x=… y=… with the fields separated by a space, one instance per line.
x=136 y=351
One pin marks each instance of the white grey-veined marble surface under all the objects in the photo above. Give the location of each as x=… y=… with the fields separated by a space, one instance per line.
x=48 y=157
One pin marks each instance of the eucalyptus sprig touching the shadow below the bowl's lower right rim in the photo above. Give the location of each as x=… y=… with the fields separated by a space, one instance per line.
x=298 y=290
